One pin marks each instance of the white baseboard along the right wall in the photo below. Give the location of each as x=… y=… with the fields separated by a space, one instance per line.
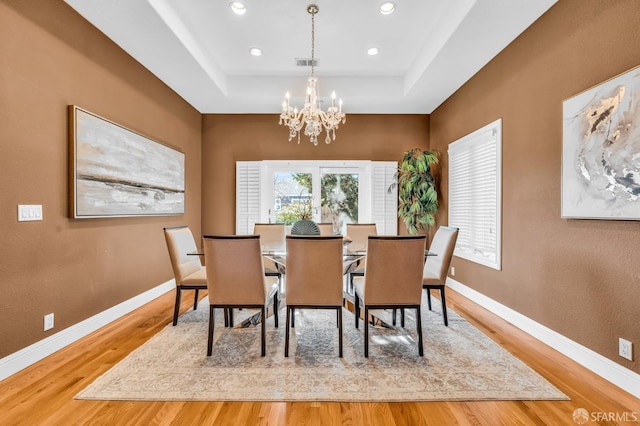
x=602 y=366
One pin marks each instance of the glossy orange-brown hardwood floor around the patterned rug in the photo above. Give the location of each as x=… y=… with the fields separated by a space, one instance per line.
x=43 y=393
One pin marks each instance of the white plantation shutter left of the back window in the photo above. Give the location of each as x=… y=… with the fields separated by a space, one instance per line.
x=247 y=196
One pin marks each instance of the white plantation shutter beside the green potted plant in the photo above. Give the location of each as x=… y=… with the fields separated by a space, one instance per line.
x=384 y=204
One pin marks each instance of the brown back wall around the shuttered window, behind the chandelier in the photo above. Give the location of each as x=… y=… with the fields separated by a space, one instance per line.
x=230 y=138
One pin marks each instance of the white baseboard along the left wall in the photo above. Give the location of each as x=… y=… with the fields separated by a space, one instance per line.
x=17 y=361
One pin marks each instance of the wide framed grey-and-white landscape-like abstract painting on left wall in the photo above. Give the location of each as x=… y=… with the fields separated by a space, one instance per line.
x=116 y=172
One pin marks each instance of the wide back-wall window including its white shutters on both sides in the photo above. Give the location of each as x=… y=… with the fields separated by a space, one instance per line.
x=340 y=192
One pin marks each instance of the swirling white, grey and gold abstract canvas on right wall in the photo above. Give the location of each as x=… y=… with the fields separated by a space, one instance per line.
x=601 y=150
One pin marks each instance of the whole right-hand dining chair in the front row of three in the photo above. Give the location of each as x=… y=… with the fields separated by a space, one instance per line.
x=392 y=279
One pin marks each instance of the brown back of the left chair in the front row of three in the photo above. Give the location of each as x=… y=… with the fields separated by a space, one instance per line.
x=235 y=272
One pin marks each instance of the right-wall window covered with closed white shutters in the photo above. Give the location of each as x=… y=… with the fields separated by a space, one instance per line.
x=475 y=192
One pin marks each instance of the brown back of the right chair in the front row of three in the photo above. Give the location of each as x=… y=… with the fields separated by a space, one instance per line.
x=393 y=274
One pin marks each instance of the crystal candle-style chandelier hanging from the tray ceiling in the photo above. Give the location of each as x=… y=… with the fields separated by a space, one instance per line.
x=311 y=116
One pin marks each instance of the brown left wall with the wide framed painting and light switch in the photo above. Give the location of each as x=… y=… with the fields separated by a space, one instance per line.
x=50 y=58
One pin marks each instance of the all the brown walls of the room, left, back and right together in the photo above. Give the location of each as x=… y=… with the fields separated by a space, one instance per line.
x=578 y=277
